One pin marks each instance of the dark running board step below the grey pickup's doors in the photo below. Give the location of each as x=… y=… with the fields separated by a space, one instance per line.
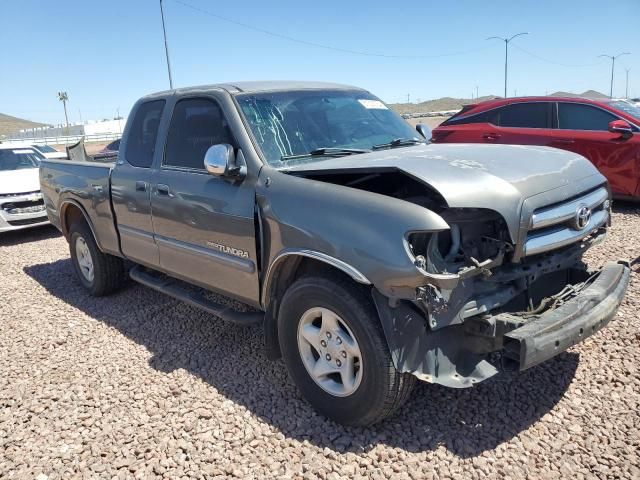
x=170 y=286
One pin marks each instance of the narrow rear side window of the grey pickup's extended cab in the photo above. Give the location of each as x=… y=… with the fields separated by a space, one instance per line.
x=141 y=139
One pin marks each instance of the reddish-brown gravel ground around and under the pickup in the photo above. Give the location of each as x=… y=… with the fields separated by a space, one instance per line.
x=139 y=385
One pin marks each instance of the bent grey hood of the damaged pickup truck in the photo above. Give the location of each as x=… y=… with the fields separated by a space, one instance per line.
x=496 y=177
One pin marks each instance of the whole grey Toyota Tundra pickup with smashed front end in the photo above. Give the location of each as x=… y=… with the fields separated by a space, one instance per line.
x=370 y=257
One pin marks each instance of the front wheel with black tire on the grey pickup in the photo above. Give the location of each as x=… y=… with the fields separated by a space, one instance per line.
x=378 y=390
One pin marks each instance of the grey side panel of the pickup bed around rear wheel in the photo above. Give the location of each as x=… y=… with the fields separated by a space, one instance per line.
x=87 y=185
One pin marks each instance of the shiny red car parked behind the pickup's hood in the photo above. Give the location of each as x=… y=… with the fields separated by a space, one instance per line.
x=607 y=132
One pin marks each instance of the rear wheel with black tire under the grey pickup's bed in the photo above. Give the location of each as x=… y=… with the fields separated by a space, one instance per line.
x=107 y=270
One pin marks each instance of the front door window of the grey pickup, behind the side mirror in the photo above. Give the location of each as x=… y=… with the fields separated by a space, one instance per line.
x=197 y=124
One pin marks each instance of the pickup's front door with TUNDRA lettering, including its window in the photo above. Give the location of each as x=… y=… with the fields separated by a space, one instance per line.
x=204 y=225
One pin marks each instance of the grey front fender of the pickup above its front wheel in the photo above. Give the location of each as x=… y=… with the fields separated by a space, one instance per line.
x=362 y=229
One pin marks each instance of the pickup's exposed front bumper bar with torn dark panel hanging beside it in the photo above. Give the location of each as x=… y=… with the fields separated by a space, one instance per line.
x=463 y=354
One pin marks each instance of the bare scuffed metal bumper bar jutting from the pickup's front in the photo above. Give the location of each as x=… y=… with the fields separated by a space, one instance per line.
x=556 y=330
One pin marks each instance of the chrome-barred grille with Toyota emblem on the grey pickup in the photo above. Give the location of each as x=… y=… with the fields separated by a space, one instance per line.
x=562 y=224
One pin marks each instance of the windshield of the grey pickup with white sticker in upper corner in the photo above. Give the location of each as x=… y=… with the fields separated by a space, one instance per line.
x=295 y=123
